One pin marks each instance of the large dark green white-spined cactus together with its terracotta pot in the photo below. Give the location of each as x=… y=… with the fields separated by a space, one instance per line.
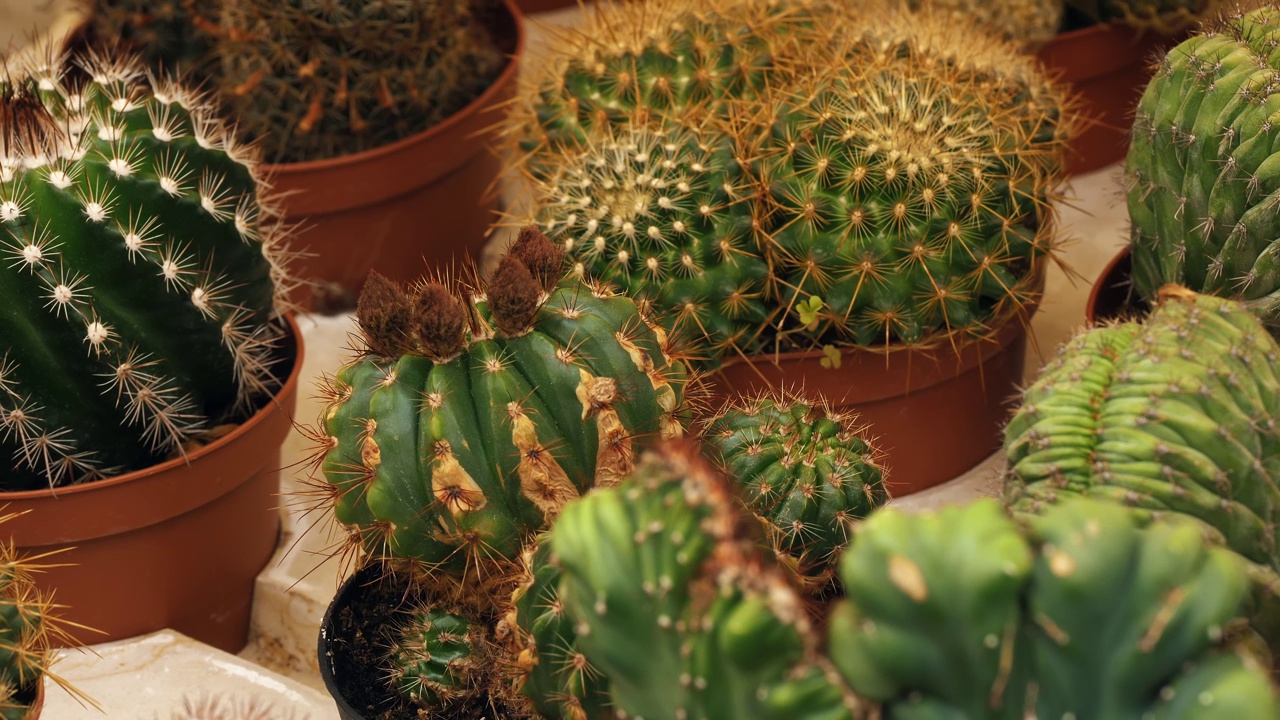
x=148 y=370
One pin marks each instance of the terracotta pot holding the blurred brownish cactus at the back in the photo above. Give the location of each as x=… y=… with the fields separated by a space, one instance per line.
x=424 y=202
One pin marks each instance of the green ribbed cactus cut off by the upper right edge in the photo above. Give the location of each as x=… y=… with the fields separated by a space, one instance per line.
x=1201 y=167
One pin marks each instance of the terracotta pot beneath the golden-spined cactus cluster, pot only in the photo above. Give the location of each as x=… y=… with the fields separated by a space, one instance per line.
x=936 y=413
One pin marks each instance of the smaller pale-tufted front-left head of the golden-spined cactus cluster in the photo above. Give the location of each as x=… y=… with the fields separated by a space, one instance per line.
x=665 y=217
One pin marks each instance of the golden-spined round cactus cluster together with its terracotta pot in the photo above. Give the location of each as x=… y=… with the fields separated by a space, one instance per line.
x=888 y=261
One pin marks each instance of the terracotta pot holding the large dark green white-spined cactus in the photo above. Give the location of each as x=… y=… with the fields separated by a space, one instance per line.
x=175 y=546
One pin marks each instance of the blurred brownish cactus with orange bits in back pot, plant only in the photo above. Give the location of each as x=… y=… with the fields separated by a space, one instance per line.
x=353 y=76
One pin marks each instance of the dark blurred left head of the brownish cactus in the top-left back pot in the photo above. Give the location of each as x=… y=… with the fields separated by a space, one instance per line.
x=168 y=35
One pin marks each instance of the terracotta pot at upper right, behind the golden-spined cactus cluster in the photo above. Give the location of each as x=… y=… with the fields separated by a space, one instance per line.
x=1109 y=67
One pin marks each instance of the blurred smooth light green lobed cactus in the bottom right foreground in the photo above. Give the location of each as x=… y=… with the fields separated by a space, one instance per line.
x=963 y=614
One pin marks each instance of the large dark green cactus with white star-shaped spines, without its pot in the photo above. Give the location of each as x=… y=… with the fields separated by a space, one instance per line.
x=141 y=275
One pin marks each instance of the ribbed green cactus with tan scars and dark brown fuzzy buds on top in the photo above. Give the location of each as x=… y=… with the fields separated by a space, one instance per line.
x=470 y=422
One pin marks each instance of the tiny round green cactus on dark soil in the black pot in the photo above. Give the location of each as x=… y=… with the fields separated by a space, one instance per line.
x=436 y=657
